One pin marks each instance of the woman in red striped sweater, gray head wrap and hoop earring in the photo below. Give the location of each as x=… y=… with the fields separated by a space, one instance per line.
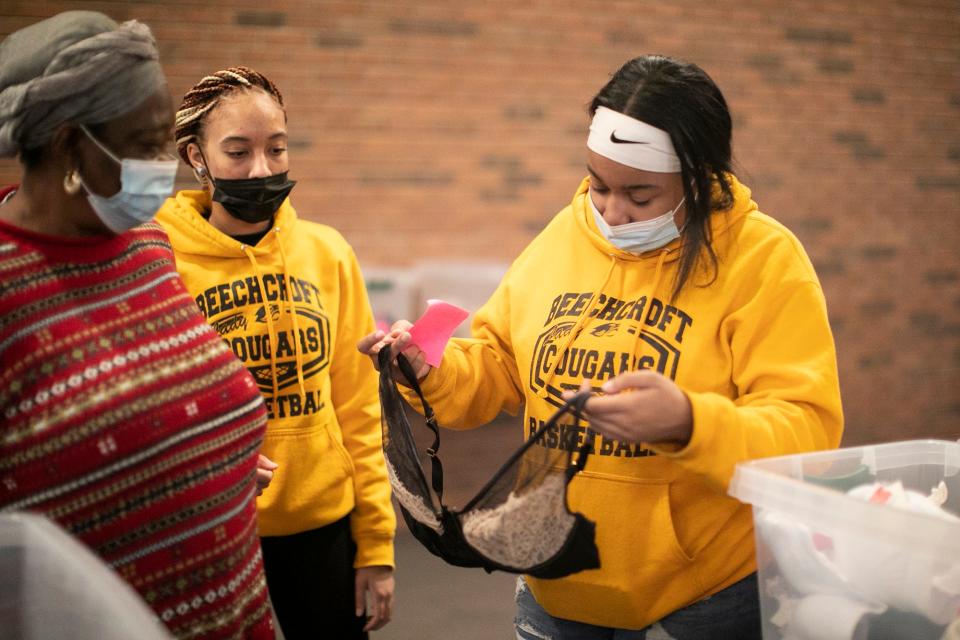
x=123 y=416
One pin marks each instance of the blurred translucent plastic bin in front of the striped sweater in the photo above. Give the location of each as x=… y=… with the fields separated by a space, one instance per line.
x=53 y=586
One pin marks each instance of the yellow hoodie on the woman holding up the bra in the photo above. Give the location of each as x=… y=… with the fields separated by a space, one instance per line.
x=752 y=350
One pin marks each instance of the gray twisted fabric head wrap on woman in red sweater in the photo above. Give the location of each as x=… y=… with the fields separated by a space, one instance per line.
x=77 y=66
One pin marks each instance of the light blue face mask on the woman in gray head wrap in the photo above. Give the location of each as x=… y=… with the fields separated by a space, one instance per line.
x=144 y=185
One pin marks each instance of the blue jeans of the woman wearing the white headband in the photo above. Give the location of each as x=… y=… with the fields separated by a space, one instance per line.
x=730 y=614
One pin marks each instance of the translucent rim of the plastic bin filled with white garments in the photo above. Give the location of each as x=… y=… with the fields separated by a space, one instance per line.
x=804 y=487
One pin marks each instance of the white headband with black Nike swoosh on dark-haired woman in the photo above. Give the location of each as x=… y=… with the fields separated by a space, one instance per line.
x=628 y=141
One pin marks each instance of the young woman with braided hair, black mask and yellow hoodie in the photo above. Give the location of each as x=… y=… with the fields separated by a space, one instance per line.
x=288 y=297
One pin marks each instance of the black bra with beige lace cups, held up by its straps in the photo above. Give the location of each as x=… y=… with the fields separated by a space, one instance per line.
x=518 y=522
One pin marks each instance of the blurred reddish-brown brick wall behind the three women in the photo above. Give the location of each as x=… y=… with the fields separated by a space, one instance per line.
x=455 y=130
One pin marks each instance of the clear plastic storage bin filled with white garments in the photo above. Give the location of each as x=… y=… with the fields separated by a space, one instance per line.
x=833 y=566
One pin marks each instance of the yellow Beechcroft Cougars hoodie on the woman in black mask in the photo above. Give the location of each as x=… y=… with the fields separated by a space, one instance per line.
x=292 y=309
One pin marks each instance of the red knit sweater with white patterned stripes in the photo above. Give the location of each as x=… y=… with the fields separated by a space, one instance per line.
x=125 y=418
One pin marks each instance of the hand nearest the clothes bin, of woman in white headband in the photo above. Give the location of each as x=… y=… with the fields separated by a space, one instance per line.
x=640 y=406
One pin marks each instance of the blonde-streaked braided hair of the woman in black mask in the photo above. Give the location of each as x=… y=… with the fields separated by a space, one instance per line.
x=206 y=95
